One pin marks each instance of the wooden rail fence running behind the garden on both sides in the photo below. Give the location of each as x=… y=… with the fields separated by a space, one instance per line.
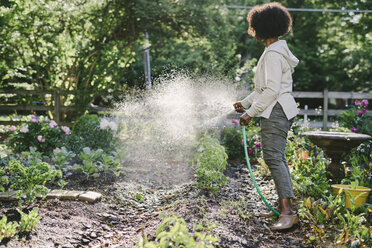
x=57 y=108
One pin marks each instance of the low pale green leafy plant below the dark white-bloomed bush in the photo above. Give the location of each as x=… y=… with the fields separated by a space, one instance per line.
x=96 y=161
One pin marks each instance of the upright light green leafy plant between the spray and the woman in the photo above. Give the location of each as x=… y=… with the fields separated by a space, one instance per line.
x=210 y=161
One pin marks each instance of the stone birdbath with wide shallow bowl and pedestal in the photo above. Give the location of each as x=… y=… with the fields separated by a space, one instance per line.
x=334 y=144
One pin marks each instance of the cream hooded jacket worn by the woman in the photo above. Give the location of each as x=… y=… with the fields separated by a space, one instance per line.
x=273 y=82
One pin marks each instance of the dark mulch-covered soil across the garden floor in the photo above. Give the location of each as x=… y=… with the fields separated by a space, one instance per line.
x=135 y=204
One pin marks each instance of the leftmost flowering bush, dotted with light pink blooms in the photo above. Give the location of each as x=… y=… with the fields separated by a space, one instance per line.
x=37 y=132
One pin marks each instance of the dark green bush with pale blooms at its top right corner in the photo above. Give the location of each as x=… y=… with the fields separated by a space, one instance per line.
x=90 y=131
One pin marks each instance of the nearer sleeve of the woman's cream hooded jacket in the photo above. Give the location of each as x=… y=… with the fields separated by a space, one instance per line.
x=273 y=78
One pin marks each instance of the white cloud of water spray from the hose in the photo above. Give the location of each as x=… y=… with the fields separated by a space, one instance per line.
x=163 y=124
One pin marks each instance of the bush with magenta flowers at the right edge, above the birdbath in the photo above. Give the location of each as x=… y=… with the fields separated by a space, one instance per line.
x=356 y=119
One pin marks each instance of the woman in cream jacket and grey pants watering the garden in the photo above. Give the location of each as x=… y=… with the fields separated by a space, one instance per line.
x=272 y=99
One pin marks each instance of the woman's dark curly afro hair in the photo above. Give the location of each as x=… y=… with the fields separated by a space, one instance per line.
x=271 y=20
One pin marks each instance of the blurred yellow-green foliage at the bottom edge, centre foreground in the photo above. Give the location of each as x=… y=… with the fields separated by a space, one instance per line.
x=173 y=232
